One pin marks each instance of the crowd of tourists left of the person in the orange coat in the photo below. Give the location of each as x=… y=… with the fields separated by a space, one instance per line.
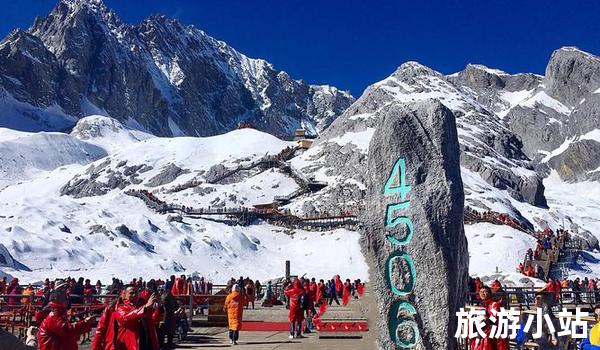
x=137 y=315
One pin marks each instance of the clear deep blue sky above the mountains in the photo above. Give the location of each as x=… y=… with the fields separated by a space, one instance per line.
x=351 y=44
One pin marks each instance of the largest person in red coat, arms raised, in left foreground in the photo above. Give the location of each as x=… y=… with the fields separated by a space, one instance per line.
x=136 y=325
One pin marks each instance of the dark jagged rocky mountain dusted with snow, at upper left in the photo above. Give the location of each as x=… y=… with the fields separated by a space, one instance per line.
x=158 y=76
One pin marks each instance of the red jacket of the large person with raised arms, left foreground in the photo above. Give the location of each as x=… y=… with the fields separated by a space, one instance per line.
x=129 y=320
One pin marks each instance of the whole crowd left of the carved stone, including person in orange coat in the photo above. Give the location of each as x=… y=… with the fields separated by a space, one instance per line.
x=144 y=315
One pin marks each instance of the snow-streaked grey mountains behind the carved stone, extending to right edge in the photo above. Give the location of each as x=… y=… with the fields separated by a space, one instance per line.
x=526 y=150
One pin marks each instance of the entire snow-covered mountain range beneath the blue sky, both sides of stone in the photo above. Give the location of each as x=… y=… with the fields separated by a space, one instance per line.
x=529 y=147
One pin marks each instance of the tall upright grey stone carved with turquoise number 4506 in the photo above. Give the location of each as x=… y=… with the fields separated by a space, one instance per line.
x=424 y=135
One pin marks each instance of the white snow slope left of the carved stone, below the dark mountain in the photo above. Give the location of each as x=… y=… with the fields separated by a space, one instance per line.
x=108 y=233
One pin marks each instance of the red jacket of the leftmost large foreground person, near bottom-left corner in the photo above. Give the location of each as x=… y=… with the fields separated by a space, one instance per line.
x=57 y=333
